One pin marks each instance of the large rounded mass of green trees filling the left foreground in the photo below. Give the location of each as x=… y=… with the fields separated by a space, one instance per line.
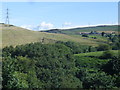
x=41 y=65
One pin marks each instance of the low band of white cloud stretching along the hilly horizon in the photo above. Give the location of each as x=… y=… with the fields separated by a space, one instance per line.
x=47 y=26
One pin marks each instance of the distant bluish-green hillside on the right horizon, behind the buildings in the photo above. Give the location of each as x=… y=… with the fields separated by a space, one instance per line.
x=76 y=31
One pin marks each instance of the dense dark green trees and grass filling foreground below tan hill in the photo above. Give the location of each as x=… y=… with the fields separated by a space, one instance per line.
x=59 y=65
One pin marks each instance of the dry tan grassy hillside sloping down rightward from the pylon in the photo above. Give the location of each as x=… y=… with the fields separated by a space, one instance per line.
x=14 y=35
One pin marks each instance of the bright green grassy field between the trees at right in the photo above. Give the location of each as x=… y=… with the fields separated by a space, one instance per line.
x=91 y=59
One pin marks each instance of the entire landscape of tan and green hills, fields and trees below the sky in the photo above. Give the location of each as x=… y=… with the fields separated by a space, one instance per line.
x=90 y=61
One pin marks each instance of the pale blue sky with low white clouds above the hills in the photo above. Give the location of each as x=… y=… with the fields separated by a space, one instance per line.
x=52 y=15
